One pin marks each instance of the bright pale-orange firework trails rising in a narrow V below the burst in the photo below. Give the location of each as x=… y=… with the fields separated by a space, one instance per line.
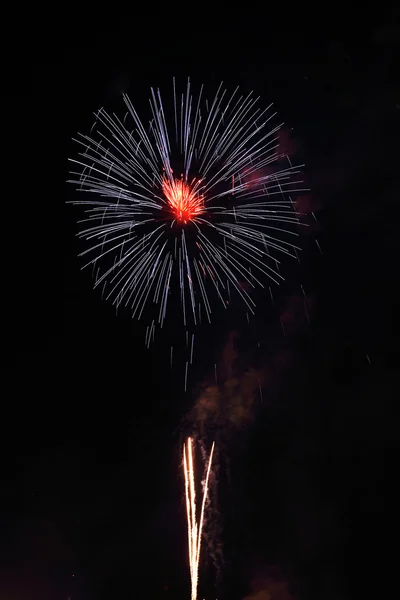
x=194 y=529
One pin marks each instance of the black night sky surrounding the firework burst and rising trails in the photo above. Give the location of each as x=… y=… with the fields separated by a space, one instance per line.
x=91 y=494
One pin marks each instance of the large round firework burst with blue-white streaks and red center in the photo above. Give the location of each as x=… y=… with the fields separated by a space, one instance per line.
x=191 y=208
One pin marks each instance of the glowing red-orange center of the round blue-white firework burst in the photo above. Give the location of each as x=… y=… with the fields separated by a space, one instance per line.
x=184 y=200
